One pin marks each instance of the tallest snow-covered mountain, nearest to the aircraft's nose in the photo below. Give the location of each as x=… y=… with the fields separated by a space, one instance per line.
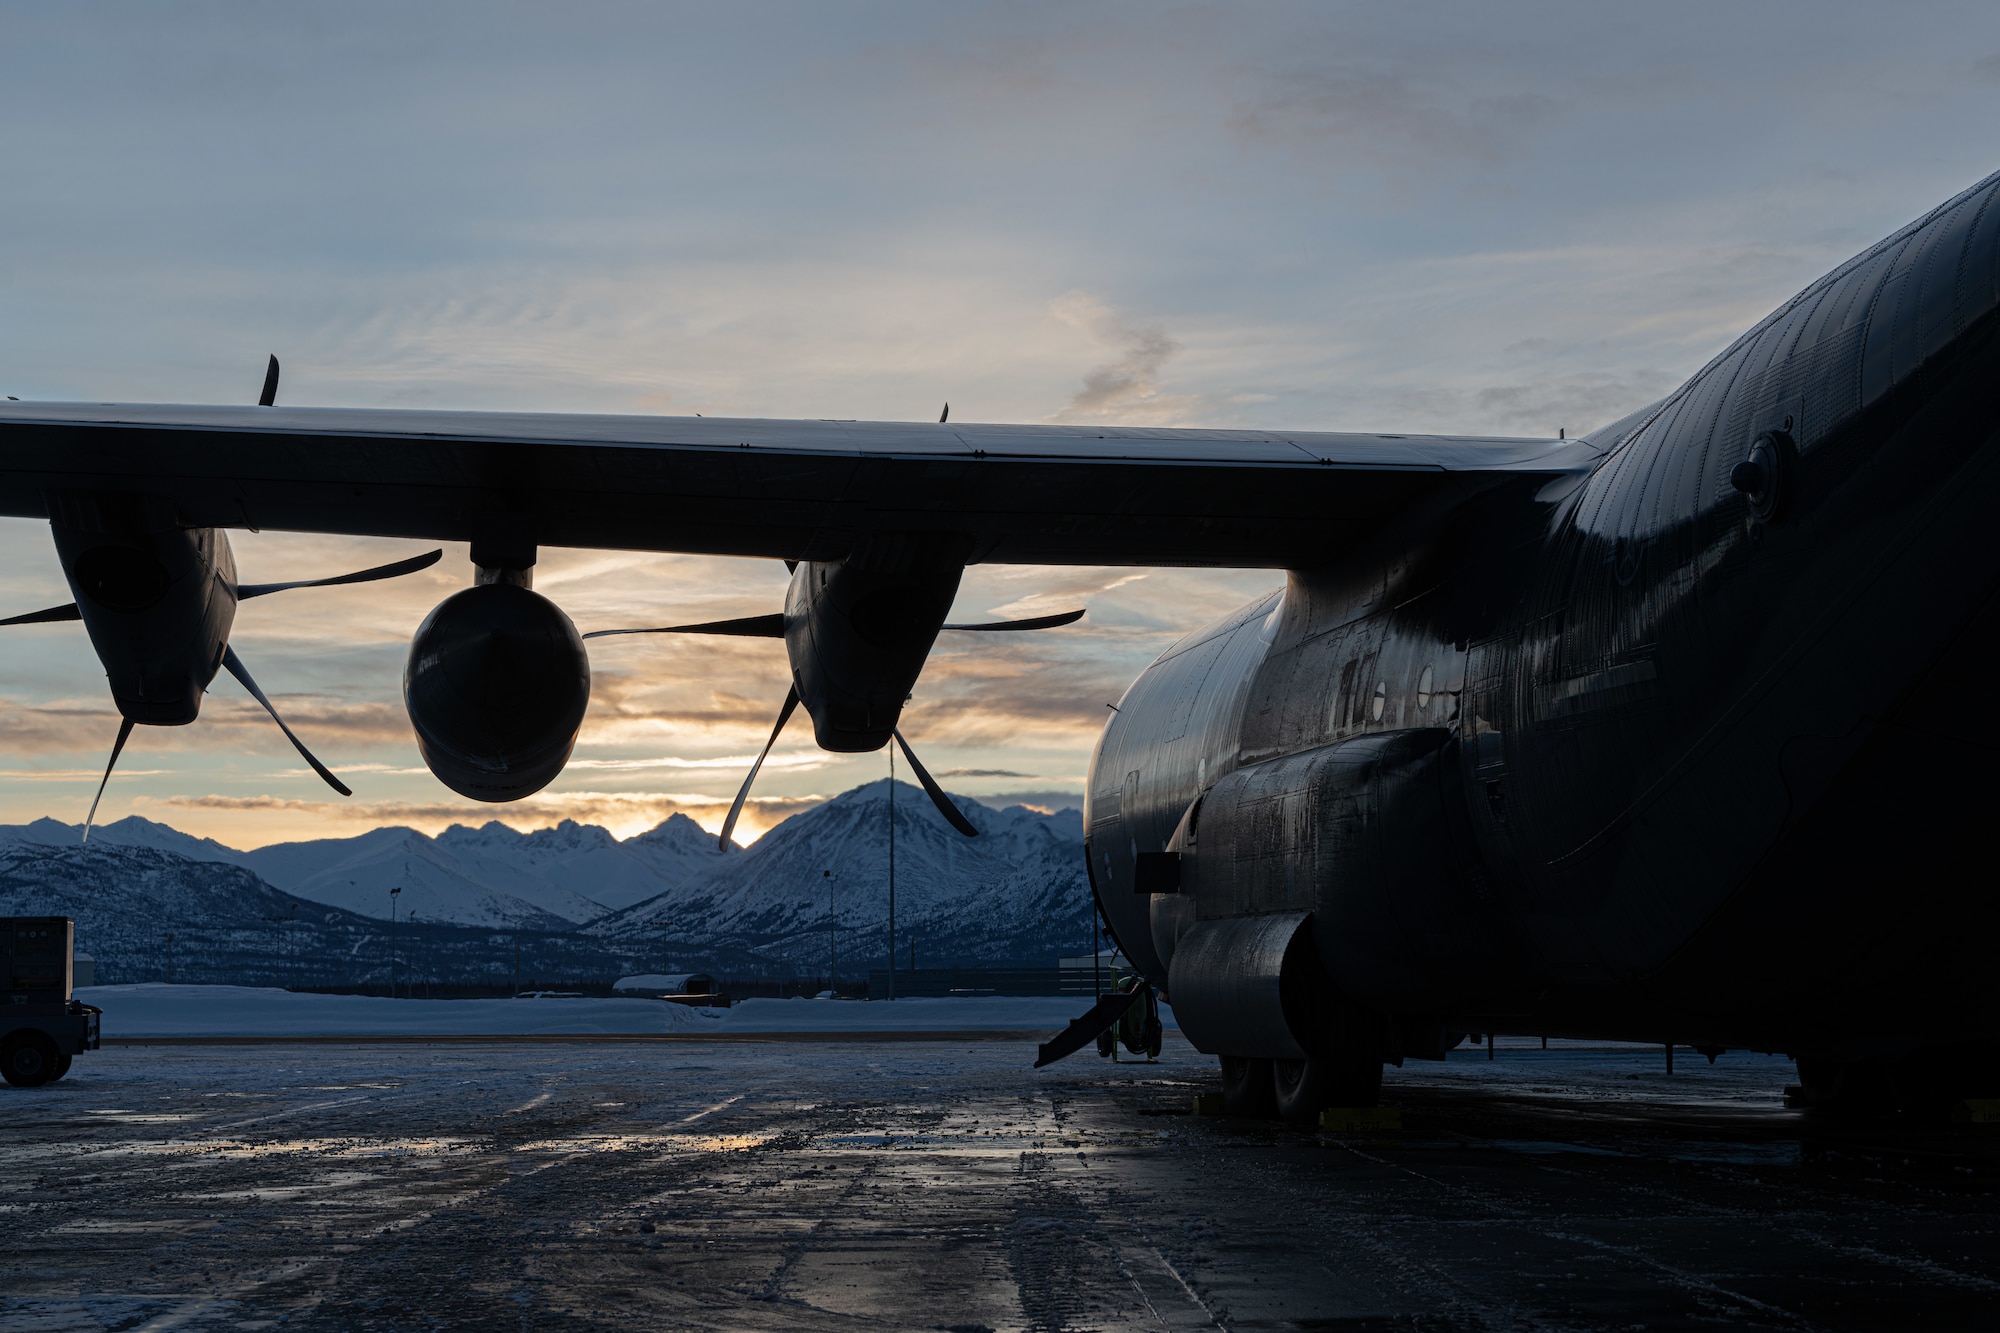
x=1015 y=894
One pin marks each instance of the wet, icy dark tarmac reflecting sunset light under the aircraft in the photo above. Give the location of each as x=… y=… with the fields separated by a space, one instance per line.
x=953 y=1188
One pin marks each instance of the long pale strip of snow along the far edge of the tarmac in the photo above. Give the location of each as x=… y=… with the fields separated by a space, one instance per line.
x=157 y=1010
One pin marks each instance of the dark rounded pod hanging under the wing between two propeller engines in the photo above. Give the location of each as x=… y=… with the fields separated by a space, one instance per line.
x=497 y=690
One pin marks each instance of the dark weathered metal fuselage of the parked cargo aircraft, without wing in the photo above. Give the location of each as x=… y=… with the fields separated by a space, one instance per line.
x=1637 y=754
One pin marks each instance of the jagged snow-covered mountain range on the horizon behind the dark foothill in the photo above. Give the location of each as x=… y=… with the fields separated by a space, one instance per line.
x=671 y=898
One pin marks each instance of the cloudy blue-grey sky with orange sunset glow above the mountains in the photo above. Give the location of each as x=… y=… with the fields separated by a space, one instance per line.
x=1501 y=219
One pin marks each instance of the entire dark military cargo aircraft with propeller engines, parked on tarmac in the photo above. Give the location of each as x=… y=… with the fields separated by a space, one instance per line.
x=1663 y=734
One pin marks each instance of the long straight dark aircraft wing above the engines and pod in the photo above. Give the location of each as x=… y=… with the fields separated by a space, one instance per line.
x=783 y=489
